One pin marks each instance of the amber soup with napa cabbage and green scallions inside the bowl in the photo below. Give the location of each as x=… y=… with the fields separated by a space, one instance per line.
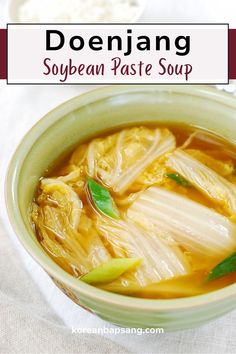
x=146 y=211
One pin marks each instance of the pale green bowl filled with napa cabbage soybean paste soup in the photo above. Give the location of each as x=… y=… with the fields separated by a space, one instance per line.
x=126 y=197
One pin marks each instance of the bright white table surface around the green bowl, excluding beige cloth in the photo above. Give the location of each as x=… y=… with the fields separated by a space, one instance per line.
x=22 y=106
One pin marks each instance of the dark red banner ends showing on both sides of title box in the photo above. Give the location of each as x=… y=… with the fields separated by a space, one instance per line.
x=232 y=54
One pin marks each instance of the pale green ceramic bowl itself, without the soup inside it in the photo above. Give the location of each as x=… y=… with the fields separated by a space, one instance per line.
x=85 y=116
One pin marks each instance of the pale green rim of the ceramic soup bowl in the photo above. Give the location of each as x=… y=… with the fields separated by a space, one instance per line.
x=19 y=228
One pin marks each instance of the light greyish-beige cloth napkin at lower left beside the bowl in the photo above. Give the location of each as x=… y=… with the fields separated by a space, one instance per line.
x=28 y=324
